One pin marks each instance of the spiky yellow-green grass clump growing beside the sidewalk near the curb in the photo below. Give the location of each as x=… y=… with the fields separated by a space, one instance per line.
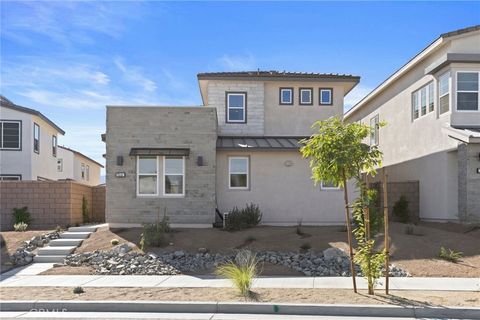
x=242 y=271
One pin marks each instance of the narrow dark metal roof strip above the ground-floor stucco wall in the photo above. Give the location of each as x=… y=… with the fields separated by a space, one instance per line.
x=267 y=143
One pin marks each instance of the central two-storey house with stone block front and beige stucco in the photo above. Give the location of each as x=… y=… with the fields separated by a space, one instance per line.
x=240 y=147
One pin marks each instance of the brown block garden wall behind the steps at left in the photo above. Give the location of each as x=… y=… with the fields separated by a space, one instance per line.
x=50 y=203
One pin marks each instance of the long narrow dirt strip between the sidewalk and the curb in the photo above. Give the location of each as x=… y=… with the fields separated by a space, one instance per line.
x=324 y=296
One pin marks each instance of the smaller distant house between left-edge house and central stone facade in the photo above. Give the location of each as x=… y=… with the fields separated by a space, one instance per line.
x=74 y=165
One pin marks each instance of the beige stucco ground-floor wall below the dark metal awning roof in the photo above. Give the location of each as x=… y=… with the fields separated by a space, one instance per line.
x=284 y=194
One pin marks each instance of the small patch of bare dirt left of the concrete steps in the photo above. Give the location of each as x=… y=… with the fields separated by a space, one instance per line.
x=10 y=241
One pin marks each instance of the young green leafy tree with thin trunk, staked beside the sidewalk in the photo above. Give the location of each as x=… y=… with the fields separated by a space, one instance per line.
x=337 y=154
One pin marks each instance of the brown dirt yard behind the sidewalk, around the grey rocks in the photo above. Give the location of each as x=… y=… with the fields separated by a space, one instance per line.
x=417 y=253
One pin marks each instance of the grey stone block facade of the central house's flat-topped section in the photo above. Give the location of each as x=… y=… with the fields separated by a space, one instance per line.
x=193 y=128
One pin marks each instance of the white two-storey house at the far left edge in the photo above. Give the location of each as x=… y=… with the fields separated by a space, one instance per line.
x=28 y=143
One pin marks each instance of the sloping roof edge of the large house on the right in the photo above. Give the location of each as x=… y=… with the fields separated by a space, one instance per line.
x=407 y=66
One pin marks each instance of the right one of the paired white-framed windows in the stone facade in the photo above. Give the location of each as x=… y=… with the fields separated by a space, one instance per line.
x=173 y=176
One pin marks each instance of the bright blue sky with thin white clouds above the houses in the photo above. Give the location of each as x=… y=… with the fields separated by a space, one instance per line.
x=70 y=59
